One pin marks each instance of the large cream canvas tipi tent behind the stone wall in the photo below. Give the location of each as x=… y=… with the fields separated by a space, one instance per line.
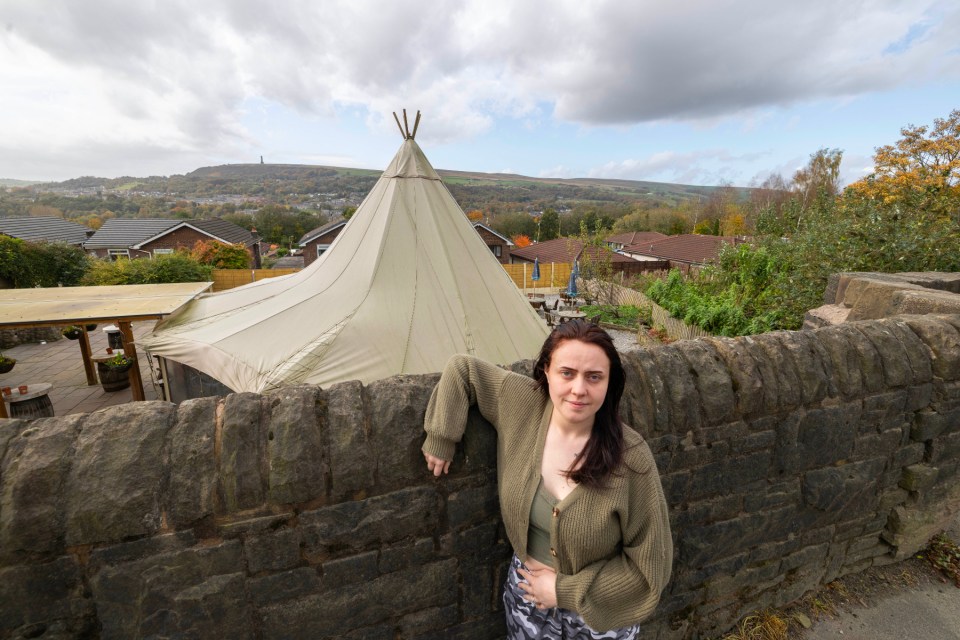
x=405 y=285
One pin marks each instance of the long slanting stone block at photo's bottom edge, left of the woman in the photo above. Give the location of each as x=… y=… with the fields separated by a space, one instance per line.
x=339 y=611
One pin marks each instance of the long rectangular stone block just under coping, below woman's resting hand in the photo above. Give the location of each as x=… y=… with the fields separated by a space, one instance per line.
x=386 y=518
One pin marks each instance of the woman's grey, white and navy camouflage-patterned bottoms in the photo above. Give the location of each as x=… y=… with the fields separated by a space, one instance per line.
x=526 y=622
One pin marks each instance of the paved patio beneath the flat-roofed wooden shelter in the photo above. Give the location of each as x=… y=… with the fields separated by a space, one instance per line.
x=60 y=364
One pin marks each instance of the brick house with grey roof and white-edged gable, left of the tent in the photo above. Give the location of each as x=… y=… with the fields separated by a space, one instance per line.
x=145 y=238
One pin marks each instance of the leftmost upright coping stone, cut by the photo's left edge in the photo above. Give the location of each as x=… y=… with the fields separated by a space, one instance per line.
x=31 y=485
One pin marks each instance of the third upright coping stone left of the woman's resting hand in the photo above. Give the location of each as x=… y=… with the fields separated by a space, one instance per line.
x=294 y=447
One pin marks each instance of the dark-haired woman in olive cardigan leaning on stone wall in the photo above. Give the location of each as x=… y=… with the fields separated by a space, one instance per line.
x=579 y=491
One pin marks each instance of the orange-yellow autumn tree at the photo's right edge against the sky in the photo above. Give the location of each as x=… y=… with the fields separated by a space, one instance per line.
x=921 y=171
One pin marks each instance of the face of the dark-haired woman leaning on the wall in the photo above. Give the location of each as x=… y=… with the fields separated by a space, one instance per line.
x=578 y=376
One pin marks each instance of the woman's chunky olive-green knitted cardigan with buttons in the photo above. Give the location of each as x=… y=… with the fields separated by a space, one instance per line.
x=611 y=546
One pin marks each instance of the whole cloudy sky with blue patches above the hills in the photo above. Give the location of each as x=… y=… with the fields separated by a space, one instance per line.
x=689 y=92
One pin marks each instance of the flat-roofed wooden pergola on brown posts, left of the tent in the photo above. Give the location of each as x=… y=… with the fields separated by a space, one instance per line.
x=119 y=304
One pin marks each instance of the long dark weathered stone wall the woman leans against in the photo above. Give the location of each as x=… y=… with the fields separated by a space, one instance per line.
x=788 y=459
